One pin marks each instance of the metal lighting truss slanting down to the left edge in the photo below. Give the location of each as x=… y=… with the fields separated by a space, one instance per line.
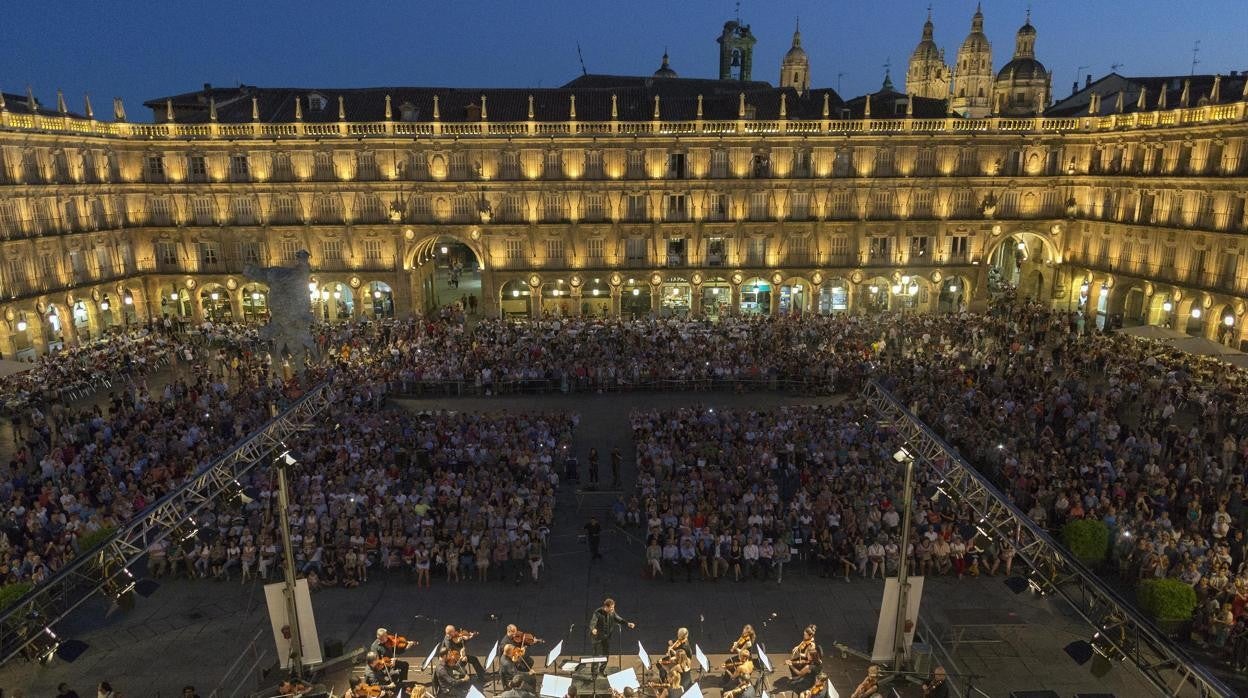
x=105 y=569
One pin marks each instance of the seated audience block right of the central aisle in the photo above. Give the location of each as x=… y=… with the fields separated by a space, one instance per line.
x=737 y=496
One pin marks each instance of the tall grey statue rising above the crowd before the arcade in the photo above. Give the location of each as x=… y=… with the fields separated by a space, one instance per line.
x=290 y=313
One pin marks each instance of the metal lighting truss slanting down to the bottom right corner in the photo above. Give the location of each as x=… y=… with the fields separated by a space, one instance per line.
x=1116 y=625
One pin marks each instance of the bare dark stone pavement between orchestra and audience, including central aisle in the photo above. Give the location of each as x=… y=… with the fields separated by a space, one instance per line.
x=192 y=631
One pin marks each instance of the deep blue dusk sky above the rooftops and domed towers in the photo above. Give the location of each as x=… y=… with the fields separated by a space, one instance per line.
x=144 y=51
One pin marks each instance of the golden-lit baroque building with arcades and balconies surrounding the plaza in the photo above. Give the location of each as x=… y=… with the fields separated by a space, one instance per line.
x=620 y=195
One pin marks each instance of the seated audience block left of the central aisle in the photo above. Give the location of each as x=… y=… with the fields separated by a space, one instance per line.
x=449 y=495
